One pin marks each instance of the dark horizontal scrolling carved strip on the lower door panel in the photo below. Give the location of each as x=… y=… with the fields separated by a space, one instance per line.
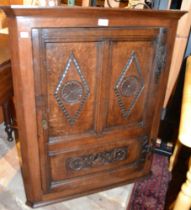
x=101 y=158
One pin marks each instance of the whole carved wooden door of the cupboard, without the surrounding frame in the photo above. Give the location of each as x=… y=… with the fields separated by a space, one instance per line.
x=94 y=100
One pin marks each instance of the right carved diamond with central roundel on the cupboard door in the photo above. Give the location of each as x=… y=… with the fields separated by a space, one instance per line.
x=129 y=86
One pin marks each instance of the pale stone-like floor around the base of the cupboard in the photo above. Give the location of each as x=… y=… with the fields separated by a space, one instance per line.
x=12 y=196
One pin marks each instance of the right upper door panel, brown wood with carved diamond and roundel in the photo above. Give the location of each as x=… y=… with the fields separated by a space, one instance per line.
x=129 y=83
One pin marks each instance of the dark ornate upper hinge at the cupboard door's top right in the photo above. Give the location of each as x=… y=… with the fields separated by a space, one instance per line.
x=161 y=53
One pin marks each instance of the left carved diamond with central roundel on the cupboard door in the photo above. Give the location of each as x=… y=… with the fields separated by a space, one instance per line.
x=72 y=91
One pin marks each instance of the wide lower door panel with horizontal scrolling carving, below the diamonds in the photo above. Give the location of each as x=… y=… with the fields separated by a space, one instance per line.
x=92 y=158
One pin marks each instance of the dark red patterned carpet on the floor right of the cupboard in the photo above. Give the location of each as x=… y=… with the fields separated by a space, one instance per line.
x=150 y=193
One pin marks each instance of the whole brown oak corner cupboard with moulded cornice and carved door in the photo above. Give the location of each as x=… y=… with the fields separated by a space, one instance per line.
x=89 y=86
